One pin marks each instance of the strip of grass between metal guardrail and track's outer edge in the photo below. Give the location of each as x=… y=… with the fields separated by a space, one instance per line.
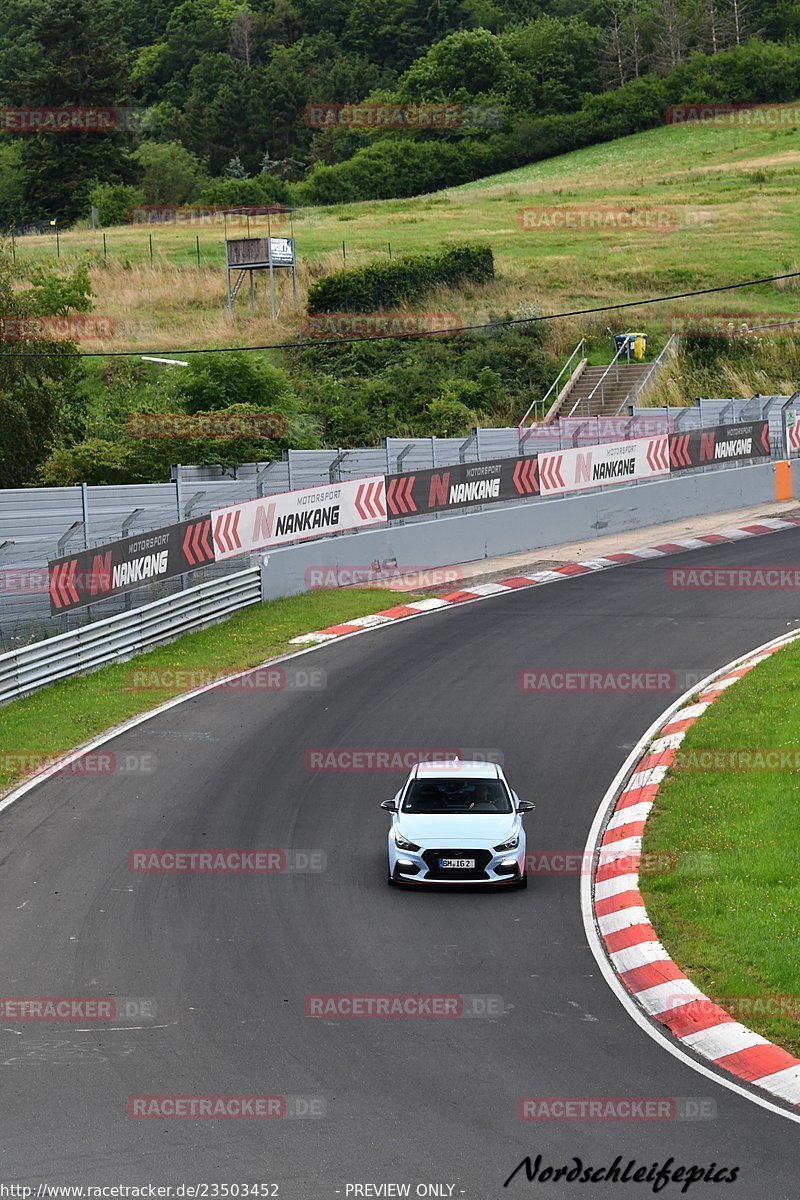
x=67 y=715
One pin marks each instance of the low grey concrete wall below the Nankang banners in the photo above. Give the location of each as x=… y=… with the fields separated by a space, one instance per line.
x=510 y=529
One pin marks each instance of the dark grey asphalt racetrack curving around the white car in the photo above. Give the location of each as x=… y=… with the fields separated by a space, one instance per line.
x=230 y=959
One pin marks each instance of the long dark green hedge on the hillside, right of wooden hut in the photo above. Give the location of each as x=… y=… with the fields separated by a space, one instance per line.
x=387 y=285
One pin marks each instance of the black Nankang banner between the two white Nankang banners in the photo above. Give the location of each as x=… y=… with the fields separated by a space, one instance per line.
x=458 y=488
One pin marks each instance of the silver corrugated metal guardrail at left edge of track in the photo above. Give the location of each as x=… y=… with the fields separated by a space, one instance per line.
x=117 y=639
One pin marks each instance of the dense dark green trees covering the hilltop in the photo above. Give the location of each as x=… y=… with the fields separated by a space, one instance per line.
x=220 y=95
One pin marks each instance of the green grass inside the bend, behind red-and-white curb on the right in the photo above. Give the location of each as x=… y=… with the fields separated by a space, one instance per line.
x=730 y=915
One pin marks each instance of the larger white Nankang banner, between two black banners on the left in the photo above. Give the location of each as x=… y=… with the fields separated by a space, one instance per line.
x=294 y=517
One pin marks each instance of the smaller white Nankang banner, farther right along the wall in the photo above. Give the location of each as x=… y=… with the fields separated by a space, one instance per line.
x=613 y=463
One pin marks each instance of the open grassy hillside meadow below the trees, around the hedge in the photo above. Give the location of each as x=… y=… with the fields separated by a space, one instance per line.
x=729 y=199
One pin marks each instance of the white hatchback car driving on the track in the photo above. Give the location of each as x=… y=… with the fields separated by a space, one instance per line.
x=458 y=823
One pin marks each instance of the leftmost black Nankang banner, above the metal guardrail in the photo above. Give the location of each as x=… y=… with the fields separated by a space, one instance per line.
x=118 y=567
